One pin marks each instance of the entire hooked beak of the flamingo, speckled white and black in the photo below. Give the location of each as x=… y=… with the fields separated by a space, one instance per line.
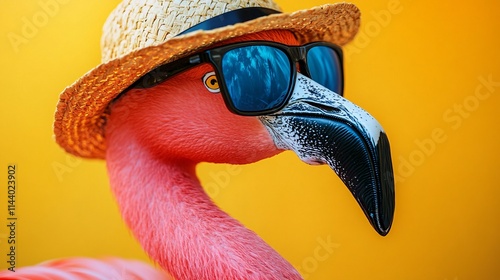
x=321 y=126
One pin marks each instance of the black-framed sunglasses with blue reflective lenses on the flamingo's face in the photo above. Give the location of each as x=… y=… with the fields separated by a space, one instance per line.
x=258 y=77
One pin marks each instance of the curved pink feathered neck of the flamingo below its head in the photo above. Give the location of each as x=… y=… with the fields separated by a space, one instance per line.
x=178 y=225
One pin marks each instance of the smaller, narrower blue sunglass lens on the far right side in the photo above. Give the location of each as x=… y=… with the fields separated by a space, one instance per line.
x=324 y=67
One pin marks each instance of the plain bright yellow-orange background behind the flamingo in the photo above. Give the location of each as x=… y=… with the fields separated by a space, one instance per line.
x=414 y=64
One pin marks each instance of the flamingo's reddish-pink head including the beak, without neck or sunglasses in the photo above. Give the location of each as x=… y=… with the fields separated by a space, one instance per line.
x=183 y=119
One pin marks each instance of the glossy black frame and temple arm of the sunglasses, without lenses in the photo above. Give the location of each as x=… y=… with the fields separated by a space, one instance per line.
x=295 y=54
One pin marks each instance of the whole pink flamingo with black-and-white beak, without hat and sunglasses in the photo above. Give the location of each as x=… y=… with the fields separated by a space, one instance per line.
x=157 y=136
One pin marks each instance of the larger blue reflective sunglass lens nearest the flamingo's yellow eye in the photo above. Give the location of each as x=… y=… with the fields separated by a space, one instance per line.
x=257 y=78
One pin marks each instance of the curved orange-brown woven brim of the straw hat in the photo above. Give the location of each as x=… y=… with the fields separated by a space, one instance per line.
x=82 y=110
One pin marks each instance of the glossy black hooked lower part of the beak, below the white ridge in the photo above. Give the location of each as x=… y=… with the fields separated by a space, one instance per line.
x=360 y=159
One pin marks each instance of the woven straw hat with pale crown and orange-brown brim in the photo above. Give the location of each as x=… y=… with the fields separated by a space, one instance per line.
x=140 y=35
